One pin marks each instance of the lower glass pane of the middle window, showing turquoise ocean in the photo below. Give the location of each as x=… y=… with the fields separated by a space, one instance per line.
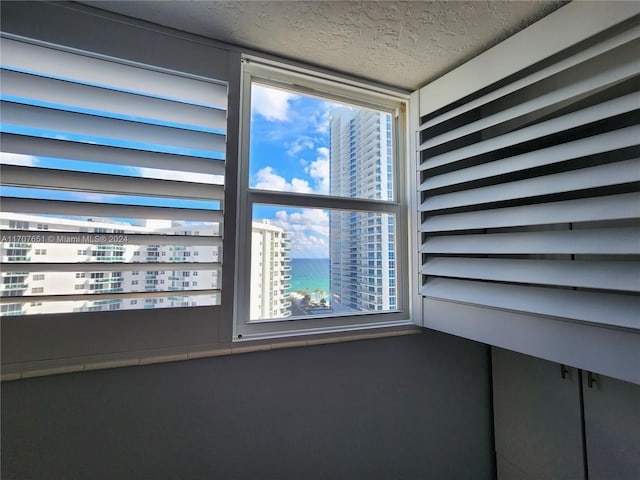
x=315 y=262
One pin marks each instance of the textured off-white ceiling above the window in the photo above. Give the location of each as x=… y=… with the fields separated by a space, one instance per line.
x=403 y=44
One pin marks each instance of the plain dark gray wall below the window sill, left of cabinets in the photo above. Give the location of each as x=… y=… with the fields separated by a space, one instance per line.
x=409 y=407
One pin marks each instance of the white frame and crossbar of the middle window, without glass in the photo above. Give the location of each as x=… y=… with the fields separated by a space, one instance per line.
x=304 y=81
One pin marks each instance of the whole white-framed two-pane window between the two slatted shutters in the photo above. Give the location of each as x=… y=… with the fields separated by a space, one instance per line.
x=323 y=177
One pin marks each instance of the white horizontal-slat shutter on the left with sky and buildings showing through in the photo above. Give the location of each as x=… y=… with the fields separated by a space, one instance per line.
x=123 y=164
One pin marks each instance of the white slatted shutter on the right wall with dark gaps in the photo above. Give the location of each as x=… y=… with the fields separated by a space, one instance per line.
x=529 y=199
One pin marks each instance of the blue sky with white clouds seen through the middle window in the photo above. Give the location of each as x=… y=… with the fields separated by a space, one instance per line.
x=289 y=151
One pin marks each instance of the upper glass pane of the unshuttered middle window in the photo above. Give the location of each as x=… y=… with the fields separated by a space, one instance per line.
x=307 y=144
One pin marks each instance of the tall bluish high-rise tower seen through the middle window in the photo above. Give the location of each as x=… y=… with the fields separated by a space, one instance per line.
x=362 y=244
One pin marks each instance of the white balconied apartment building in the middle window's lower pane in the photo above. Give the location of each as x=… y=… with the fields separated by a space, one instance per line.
x=270 y=272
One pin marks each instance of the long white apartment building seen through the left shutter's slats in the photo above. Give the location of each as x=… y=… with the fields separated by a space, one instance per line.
x=48 y=288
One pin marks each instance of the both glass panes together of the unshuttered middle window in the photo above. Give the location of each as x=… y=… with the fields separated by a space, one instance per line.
x=337 y=257
